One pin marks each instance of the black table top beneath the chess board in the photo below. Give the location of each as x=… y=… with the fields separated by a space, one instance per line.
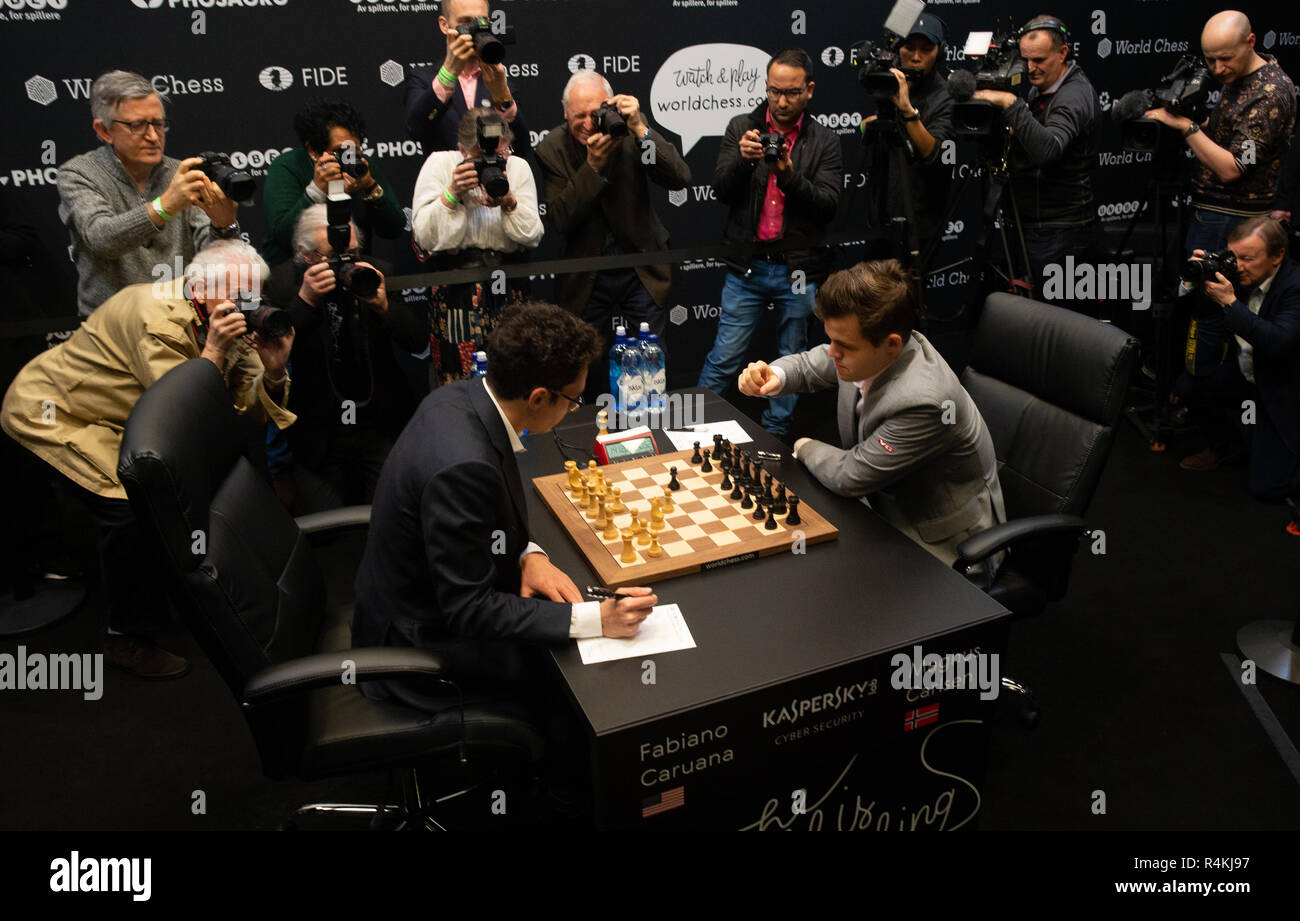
x=766 y=621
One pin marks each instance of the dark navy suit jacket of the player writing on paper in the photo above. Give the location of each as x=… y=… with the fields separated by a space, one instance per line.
x=449 y=521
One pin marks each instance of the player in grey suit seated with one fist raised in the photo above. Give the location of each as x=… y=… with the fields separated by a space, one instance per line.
x=913 y=443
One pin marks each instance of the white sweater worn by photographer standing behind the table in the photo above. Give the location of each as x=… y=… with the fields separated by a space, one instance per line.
x=440 y=230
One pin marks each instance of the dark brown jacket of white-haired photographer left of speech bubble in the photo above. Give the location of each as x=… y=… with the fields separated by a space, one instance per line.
x=587 y=206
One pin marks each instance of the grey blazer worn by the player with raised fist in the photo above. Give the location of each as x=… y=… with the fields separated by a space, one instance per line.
x=920 y=453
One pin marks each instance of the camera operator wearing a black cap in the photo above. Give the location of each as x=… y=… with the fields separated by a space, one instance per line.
x=925 y=110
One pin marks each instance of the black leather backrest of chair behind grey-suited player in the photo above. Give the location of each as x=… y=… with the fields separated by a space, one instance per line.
x=1051 y=386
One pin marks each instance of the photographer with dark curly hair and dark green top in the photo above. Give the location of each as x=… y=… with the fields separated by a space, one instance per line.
x=331 y=133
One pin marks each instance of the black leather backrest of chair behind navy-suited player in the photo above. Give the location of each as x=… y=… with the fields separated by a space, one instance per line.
x=242 y=574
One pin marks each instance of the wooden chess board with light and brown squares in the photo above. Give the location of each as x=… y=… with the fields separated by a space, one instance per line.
x=705 y=530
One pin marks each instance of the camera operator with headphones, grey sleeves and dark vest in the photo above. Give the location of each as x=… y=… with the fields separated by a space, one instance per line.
x=1054 y=149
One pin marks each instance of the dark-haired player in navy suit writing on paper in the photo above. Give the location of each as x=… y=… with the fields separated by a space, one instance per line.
x=449 y=565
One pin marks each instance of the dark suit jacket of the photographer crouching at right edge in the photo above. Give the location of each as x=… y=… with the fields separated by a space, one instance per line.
x=1276 y=339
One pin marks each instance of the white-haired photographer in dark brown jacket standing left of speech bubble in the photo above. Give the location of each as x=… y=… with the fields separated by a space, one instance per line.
x=599 y=196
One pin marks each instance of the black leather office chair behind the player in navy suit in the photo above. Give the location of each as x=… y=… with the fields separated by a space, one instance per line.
x=252 y=589
